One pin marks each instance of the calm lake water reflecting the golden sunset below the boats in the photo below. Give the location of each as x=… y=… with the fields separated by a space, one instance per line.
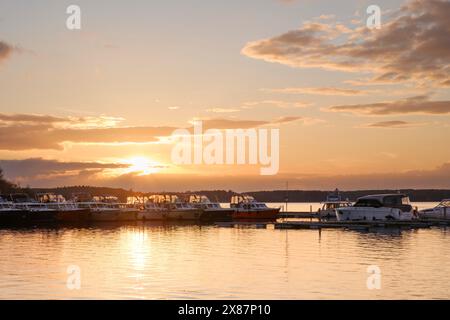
x=157 y=261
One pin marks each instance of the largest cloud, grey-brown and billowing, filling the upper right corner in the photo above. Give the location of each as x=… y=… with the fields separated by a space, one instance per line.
x=413 y=46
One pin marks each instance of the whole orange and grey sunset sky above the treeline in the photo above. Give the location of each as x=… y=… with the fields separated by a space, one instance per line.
x=356 y=107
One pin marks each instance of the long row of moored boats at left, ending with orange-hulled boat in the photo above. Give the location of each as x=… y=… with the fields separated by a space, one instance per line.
x=46 y=207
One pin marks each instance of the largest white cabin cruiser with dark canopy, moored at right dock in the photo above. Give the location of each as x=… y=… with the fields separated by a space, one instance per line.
x=378 y=207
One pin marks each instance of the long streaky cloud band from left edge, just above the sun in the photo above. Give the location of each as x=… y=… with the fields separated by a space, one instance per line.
x=28 y=132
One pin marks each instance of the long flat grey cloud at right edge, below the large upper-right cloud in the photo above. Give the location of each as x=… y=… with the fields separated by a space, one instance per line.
x=414 y=105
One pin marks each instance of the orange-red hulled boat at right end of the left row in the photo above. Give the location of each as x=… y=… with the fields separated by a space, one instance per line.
x=246 y=207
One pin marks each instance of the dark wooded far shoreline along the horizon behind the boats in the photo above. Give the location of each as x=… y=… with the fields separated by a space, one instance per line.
x=419 y=195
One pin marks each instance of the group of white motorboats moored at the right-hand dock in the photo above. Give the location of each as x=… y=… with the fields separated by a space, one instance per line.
x=380 y=207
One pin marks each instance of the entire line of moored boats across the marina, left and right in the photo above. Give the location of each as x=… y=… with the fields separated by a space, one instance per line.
x=46 y=207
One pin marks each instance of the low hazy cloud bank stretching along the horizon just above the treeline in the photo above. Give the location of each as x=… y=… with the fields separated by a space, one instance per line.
x=414 y=179
